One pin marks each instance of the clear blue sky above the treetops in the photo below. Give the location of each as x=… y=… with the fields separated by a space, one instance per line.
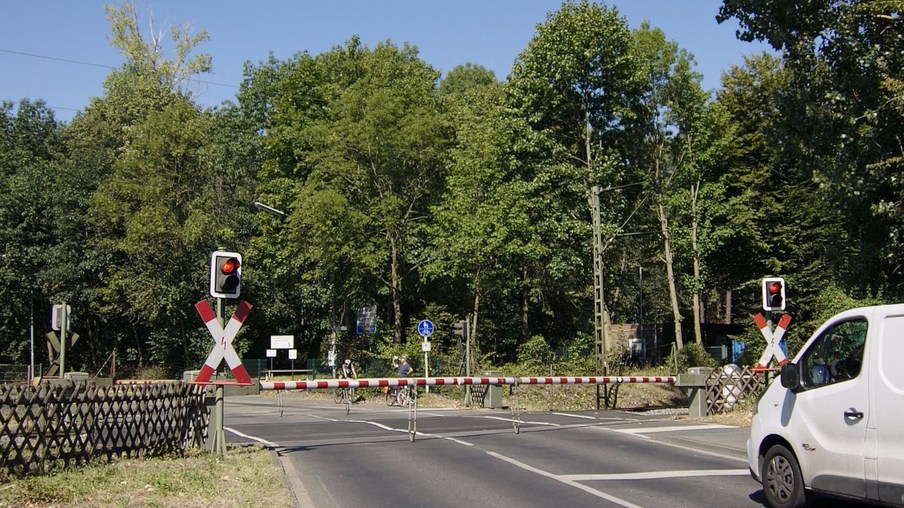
x=58 y=51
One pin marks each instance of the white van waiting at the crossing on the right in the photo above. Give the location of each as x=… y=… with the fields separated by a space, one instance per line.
x=835 y=422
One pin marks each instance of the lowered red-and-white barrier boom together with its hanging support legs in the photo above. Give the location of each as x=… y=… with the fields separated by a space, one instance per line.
x=514 y=382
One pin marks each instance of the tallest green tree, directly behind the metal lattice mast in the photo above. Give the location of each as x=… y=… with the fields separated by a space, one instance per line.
x=577 y=83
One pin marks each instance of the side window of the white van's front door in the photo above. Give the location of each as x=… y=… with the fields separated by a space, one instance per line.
x=836 y=355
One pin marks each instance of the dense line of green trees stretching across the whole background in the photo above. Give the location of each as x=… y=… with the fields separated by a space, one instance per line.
x=463 y=195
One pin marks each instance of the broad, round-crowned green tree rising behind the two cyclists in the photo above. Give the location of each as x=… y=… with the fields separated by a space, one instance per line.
x=362 y=133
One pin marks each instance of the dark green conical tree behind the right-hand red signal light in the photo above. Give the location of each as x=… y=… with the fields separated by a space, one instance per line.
x=786 y=225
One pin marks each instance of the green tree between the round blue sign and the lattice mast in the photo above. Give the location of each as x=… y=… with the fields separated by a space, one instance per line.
x=487 y=226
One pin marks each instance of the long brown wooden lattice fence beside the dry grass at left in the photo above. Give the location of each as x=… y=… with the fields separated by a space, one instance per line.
x=51 y=426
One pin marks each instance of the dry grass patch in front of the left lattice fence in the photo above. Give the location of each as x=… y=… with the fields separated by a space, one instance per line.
x=244 y=477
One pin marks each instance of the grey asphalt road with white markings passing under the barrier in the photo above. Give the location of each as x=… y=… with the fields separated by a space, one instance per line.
x=474 y=457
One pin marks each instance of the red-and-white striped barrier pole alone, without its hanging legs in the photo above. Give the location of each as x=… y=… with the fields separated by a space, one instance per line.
x=459 y=381
